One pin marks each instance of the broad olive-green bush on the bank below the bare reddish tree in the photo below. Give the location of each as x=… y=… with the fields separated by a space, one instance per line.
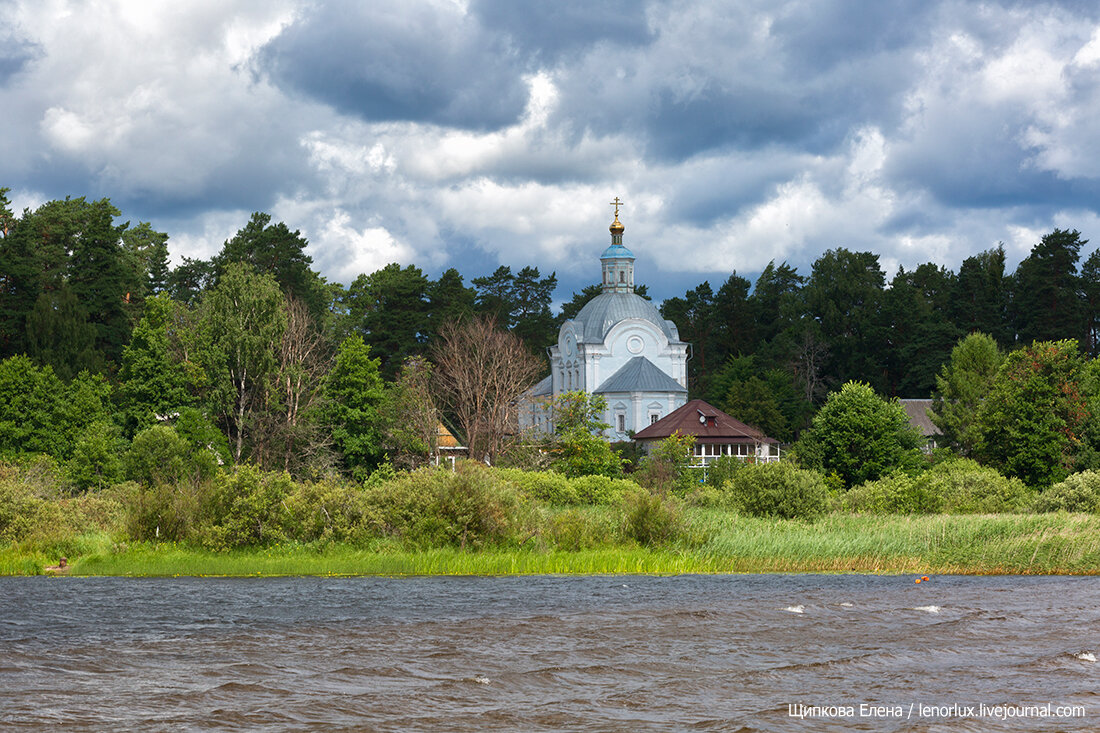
x=472 y=507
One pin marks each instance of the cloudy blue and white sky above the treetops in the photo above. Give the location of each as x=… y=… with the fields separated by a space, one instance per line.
x=475 y=134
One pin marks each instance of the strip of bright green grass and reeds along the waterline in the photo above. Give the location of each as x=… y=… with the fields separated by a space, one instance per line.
x=1052 y=544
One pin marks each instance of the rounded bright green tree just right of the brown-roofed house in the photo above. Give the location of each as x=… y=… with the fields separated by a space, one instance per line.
x=860 y=436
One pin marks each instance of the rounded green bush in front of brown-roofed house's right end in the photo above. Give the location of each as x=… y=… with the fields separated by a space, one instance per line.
x=778 y=490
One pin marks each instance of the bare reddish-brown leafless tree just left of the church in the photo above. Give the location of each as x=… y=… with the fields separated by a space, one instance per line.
x=481 y=371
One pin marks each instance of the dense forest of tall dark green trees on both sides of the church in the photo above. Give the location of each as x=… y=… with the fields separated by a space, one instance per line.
x=254 y=352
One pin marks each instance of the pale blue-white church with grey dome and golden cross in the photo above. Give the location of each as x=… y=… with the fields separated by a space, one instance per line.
x=619 y=346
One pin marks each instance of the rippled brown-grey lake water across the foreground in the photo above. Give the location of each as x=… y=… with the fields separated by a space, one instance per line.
x=723 y=653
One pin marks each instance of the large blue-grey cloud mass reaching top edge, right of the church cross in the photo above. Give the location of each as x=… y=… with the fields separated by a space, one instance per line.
x=729 y=84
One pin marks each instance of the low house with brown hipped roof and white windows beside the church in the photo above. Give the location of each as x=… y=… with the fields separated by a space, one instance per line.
x=717 y=434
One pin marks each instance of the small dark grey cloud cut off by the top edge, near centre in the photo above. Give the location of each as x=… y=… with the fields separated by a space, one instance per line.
x=551 y=31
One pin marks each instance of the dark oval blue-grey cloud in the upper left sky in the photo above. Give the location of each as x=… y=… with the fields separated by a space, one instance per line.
x=389 y=62
